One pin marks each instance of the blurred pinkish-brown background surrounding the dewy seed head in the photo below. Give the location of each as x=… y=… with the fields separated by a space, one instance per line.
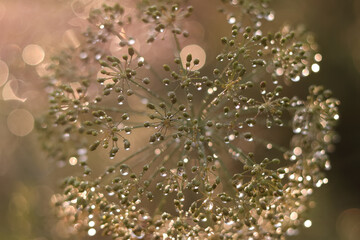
x=32 y=31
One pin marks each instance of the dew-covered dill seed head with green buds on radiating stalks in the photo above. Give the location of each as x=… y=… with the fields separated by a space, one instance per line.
x=193 y=148
